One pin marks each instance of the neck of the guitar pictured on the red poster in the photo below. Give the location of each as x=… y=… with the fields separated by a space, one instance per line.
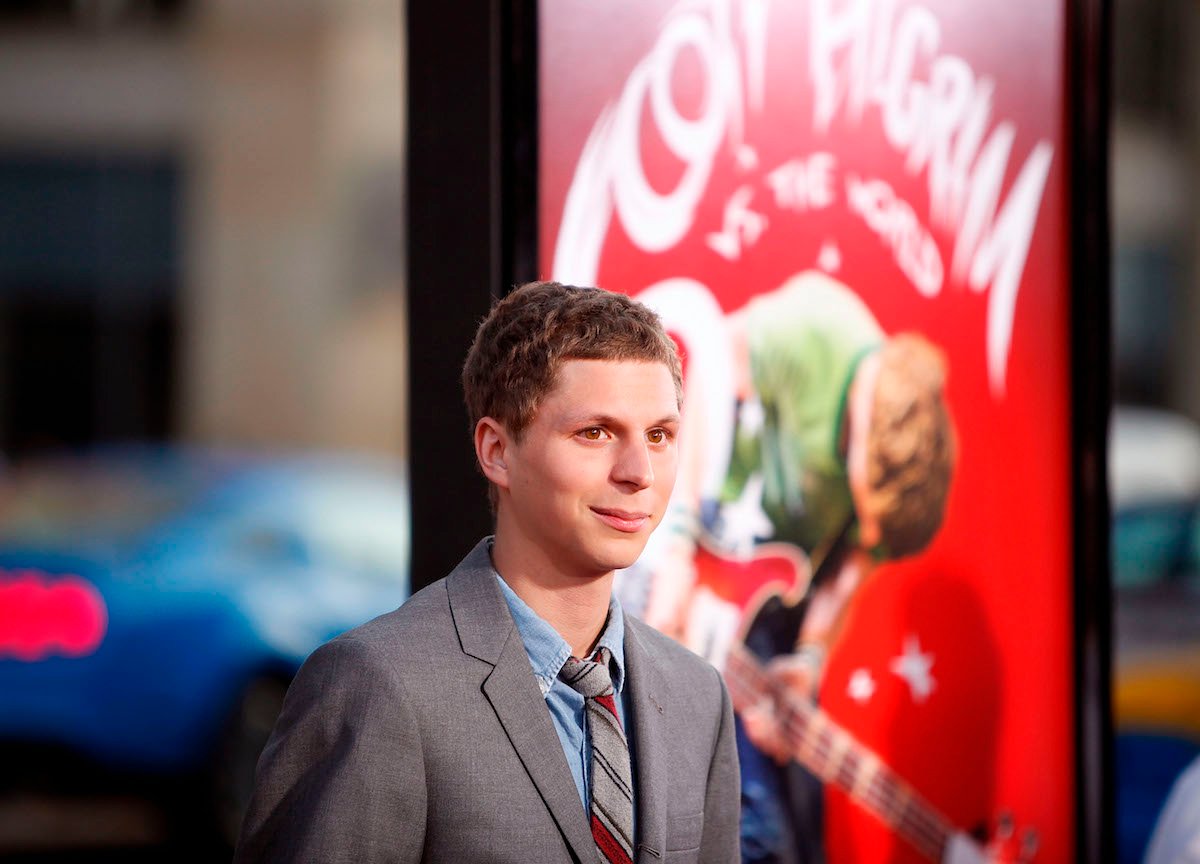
x=837 y=758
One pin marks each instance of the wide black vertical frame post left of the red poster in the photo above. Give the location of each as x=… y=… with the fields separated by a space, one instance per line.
x=472 y=233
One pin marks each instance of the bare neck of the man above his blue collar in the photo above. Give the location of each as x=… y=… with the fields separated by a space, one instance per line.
x=575 y=605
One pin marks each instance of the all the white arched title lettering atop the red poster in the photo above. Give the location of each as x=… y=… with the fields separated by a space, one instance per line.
x=863 y=56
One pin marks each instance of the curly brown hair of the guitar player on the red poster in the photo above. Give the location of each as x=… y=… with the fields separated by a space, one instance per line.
x=913 y=449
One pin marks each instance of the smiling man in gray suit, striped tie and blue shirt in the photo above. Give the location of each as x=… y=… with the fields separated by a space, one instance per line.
x=512 y=712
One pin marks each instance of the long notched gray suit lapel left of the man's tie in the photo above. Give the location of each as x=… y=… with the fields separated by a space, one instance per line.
x=487 y=632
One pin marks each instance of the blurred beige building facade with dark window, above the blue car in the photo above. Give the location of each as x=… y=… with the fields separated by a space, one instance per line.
x=201 y=233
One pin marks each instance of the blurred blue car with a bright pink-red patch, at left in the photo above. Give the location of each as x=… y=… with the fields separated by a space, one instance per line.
x=154 y=604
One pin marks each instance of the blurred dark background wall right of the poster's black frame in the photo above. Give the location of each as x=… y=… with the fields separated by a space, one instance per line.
x=1155 y=185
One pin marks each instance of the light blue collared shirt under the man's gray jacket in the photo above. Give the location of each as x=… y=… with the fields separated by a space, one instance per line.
x=548 y=652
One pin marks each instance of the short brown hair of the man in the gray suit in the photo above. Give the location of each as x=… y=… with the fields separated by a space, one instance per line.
x=525 y=339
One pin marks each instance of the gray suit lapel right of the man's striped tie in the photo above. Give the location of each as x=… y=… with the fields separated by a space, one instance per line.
x=647 y=691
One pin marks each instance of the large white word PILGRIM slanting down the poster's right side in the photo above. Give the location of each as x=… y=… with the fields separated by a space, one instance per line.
x=863 y=55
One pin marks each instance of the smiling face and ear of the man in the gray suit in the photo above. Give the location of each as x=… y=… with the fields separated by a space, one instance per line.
x=595 y=470
